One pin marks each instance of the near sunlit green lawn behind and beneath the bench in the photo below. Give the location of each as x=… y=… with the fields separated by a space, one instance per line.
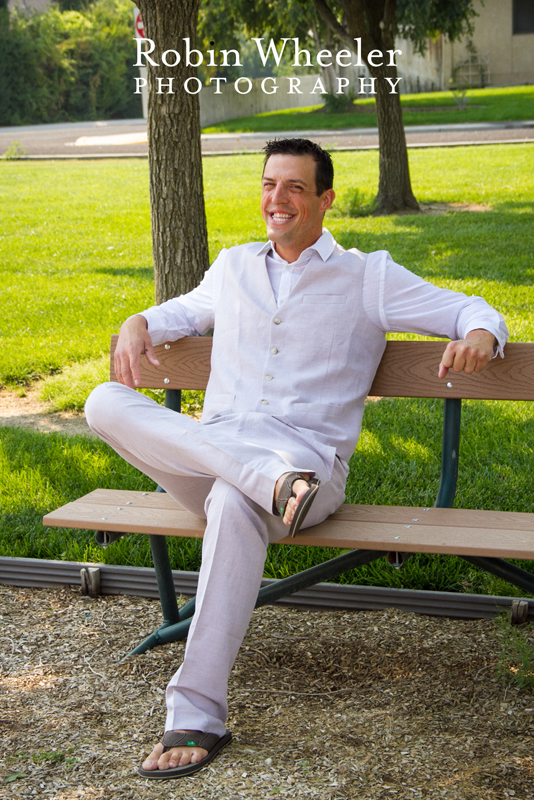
x=72 y=269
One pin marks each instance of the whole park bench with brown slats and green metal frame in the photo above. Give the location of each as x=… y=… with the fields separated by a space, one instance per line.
x=407 y=369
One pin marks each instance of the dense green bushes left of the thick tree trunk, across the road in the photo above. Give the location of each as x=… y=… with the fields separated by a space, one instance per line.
x=68 y=65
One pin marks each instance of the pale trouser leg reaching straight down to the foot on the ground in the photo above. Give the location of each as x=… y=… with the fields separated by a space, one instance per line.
x=233 y=555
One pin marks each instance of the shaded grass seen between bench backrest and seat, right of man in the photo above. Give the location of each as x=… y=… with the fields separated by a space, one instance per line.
x=397 y=461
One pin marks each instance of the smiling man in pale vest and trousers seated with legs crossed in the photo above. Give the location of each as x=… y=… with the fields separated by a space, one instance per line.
x=299 y=330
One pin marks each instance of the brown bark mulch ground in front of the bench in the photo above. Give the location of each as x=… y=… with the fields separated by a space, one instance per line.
x=329 y=705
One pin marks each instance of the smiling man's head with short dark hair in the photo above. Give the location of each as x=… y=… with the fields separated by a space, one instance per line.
x=296 y=193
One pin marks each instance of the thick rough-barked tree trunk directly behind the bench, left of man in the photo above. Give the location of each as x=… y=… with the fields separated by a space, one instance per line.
x=179 y=231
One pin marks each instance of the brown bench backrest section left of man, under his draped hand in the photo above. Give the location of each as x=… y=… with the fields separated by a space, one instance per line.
x=186 y=363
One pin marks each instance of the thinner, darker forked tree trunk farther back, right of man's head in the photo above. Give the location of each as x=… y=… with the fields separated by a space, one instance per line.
x=374 y=22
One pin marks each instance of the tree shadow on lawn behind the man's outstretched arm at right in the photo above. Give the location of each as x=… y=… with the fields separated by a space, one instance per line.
x=496 y=245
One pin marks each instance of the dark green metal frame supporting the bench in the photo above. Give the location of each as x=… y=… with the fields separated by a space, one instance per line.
x=176 y=621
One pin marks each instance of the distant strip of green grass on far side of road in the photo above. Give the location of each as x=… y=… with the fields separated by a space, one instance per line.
x=429 y=108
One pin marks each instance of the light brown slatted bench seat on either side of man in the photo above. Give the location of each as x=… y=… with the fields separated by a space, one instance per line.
x=377 y=527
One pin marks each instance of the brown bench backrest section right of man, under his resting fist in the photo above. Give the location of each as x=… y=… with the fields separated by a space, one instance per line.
x=410 y=369
